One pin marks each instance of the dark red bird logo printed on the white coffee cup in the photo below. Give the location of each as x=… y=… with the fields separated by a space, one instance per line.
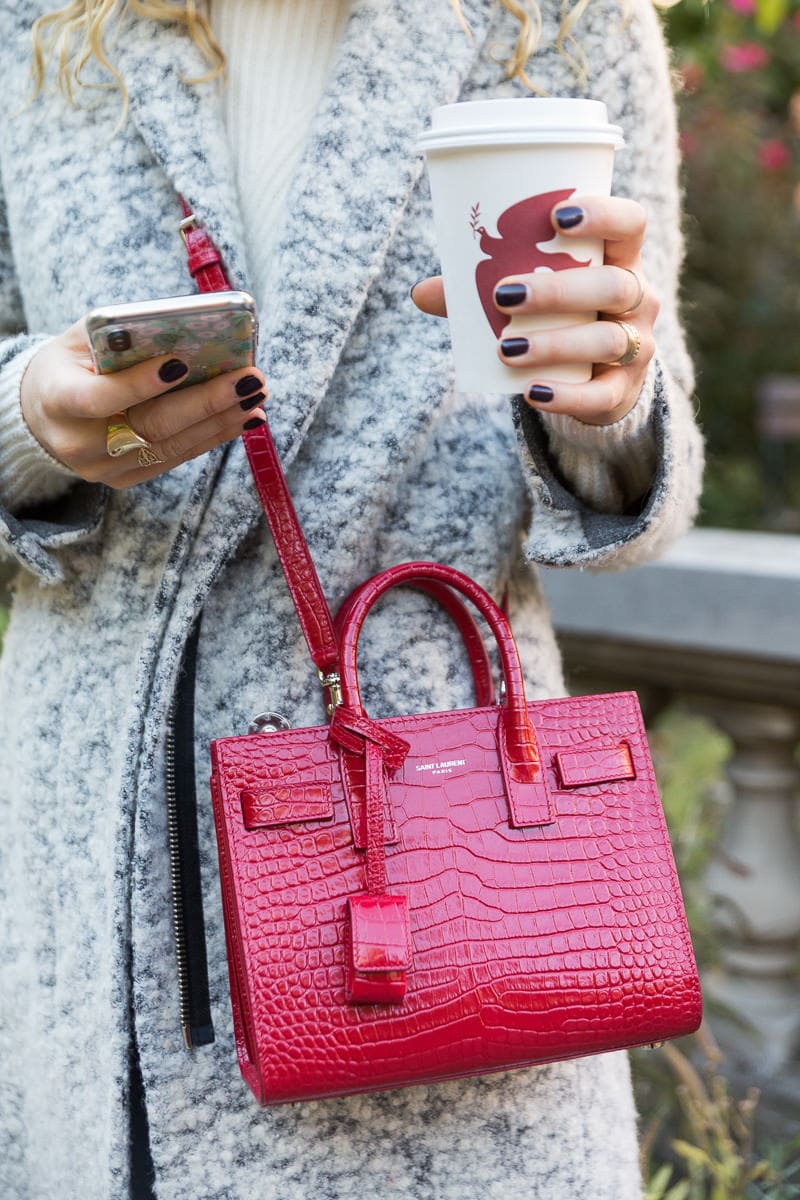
x=522 y=227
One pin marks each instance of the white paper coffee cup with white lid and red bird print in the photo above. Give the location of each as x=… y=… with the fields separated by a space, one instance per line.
x=497 y=170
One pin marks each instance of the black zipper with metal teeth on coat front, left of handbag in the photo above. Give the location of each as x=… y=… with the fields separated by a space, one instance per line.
x=181 y=800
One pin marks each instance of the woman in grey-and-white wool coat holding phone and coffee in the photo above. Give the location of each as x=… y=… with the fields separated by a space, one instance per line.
x=386 y=464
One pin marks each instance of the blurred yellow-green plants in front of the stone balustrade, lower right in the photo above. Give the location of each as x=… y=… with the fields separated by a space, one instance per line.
x=700 y=1142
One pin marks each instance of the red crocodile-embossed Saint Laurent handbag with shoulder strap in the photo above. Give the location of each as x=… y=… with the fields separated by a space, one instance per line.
x=442 y=895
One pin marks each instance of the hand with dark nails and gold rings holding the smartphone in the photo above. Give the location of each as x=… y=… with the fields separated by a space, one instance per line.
x=68 y=406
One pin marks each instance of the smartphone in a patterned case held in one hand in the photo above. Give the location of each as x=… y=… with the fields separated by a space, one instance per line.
x=213 y=333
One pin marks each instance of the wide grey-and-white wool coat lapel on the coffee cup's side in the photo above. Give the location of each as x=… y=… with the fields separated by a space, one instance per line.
x=396 y=63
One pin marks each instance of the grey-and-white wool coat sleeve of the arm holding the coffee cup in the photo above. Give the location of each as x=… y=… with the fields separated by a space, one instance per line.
x=616 y=496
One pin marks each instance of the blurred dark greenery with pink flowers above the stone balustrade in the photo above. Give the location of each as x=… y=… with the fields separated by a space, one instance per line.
x=738 y=65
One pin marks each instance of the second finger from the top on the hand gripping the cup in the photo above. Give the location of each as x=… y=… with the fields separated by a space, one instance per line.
x=609 y=290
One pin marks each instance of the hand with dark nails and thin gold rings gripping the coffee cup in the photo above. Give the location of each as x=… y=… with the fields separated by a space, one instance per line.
x=610 y=291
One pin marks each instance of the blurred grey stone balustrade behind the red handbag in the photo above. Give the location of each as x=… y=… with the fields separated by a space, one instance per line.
x=717 y=625
